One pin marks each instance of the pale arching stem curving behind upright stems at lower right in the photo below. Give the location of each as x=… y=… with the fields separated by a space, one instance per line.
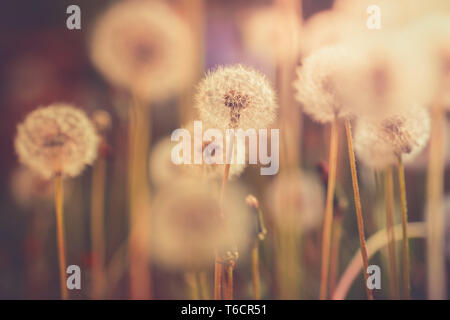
x=374 y=244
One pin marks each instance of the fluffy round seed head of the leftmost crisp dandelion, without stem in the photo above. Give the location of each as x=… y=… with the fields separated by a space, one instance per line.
x=58 y=139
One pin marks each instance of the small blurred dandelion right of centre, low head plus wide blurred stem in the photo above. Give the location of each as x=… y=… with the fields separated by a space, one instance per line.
x=296 y=203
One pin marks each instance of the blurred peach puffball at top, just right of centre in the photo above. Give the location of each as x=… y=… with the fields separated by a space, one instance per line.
x=272 y=33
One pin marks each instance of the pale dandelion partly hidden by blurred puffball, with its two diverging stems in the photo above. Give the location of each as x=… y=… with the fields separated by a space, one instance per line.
x=318 y=90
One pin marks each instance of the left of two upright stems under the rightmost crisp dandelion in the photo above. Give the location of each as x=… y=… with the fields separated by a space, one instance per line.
x=389 y=198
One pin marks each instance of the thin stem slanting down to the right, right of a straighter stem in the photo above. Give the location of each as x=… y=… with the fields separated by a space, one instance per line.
x=359 y=216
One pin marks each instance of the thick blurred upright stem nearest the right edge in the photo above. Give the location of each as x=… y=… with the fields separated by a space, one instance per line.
x=435 y=210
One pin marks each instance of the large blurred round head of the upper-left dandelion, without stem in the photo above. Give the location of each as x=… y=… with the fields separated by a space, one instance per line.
x=144 y=47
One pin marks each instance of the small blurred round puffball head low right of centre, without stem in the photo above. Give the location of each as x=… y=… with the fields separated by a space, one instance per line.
x=296 y=201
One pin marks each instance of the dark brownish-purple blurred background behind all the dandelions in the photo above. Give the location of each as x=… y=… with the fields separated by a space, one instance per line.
x=42 y=62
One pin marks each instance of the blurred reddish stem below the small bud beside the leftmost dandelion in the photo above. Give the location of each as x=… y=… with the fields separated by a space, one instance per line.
x=97 y=228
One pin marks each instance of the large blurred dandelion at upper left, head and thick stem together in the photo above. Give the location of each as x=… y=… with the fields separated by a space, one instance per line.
x=147 y=49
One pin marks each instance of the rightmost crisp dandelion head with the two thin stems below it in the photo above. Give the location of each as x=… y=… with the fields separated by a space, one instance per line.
x=382 y=144
